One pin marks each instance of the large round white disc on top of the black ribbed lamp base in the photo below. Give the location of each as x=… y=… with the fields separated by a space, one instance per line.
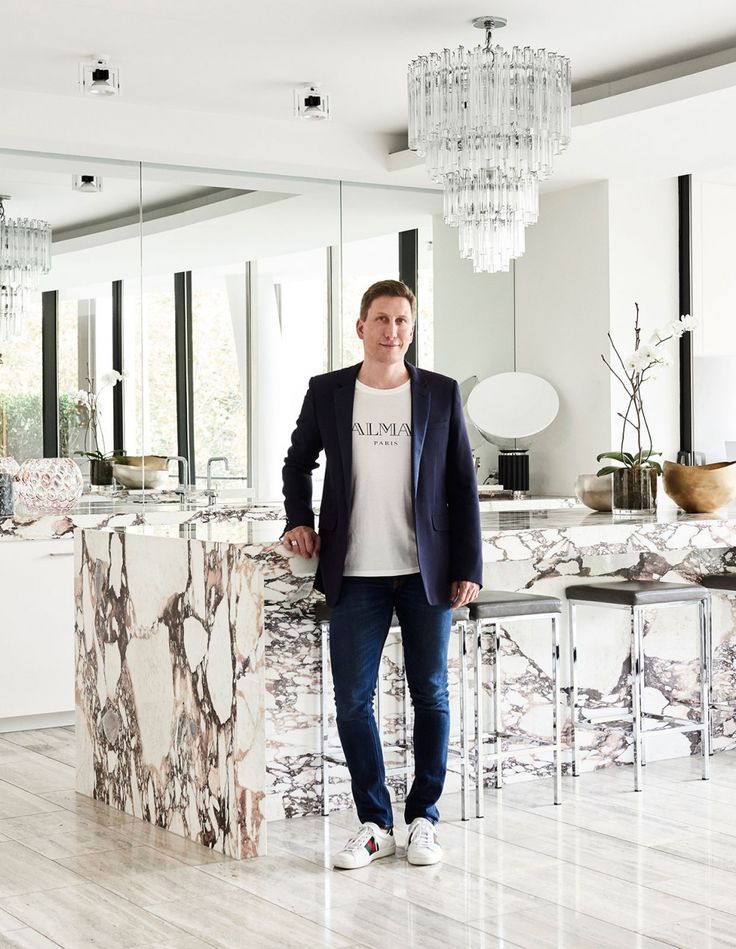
x=511 y=407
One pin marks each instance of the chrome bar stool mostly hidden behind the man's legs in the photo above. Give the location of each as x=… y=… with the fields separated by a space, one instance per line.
x=331 y=757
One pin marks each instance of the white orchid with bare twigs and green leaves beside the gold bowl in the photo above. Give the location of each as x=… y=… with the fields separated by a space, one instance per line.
x=644 y=364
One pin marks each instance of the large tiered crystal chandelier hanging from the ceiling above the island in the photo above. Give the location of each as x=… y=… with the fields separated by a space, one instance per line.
x=488 y=124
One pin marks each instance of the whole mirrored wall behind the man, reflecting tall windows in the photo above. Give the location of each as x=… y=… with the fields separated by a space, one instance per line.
x=185 y=311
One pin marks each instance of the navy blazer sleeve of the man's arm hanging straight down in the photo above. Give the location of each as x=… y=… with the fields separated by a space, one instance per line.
x=466 y=551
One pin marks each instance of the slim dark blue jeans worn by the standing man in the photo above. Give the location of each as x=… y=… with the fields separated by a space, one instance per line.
x=359 y=625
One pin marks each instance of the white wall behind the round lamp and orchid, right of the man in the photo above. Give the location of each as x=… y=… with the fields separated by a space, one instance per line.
x=595 y=250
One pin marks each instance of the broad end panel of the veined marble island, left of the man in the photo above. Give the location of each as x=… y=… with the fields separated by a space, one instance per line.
x=170 y=687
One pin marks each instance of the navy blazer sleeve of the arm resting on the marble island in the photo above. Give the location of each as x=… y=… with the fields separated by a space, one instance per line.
x=300 y=462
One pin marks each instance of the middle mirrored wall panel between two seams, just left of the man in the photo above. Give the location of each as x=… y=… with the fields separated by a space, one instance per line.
x=239 y=303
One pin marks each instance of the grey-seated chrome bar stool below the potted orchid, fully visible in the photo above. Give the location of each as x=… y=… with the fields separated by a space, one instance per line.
x=635 y=596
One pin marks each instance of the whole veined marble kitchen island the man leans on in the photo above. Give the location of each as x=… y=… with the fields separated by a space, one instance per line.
x=199 y=674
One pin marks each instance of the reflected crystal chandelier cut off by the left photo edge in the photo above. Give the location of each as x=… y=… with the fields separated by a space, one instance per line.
x=25 y=254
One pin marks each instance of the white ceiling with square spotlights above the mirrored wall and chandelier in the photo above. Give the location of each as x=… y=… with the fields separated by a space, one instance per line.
x=212 y=86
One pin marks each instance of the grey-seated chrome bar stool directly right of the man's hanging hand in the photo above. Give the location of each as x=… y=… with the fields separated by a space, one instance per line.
x=486 y=614
